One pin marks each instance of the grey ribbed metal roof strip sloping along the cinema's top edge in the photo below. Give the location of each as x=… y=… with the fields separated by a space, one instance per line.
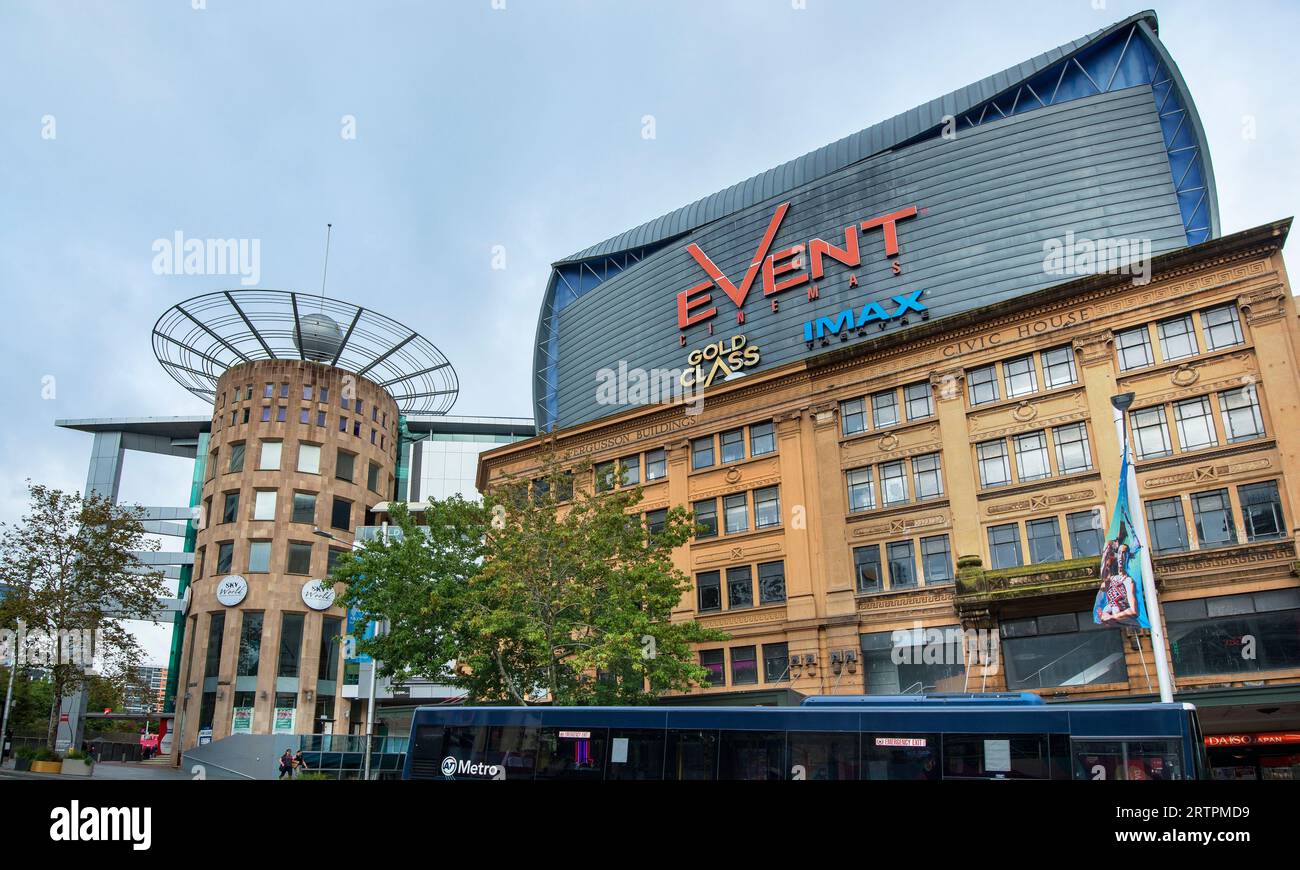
x=865 y=144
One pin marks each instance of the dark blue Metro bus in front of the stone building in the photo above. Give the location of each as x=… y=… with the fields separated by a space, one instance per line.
x=827 y=738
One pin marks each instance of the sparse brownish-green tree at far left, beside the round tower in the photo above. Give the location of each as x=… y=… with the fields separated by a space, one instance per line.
x=73 y=575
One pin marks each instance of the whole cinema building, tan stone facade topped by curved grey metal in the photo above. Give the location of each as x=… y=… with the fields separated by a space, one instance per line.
x=908 y=344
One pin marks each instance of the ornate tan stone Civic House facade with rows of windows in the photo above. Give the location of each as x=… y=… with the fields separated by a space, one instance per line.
x=924 y=510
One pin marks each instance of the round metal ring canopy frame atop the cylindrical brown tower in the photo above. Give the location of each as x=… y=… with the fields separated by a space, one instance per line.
x=200 y=339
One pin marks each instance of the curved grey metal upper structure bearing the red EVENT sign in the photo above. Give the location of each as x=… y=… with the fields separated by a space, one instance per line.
x=1097 y=140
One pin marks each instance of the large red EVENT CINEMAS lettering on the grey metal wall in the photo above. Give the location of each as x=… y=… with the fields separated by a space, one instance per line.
x=782 y=270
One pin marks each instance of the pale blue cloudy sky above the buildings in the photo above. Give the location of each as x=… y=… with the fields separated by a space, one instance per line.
x=460 y=148
